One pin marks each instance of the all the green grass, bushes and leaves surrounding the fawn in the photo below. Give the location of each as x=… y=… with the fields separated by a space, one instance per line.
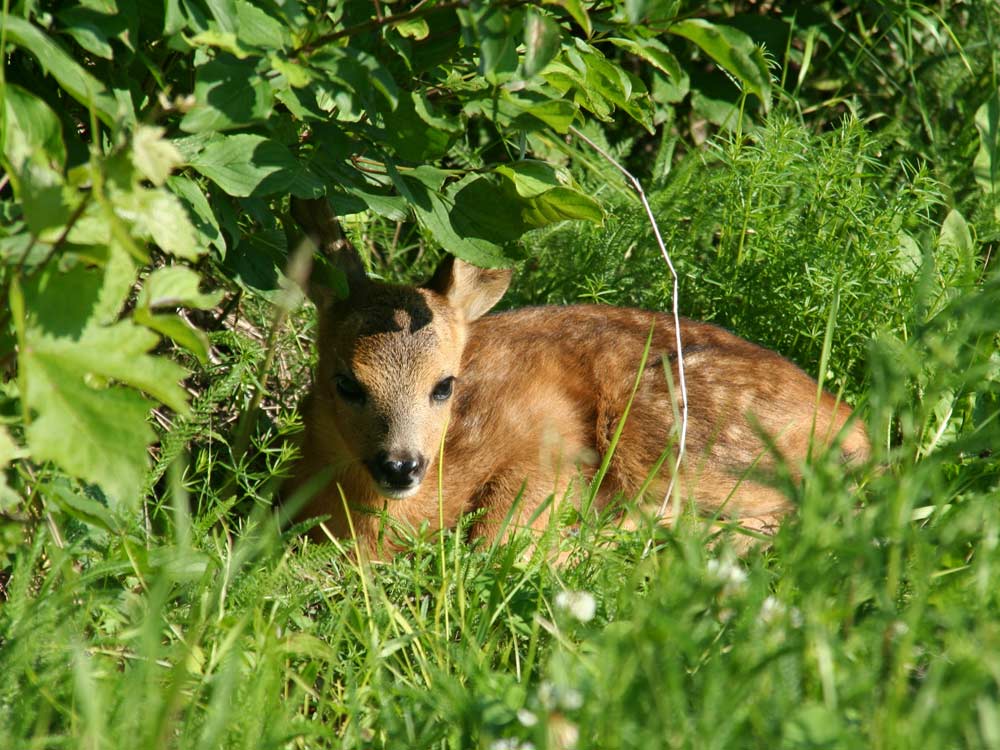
x=826 y=177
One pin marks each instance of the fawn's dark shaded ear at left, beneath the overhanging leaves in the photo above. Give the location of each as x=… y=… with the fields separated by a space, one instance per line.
x=317 y=220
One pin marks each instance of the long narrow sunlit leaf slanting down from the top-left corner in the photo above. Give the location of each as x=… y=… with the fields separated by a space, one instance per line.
x=80 y=84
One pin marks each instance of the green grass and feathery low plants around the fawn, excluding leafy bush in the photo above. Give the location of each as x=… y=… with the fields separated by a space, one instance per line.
x=872 y=621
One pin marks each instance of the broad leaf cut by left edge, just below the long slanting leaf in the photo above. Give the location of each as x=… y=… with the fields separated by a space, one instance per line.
x=32 y=130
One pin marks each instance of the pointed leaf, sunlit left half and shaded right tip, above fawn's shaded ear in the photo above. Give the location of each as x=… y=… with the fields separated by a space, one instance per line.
x=245 y=164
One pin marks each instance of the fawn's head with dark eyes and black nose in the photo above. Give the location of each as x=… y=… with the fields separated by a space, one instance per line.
x=389 y=362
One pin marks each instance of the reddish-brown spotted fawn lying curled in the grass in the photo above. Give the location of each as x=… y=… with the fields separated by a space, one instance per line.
x=526 y=403
